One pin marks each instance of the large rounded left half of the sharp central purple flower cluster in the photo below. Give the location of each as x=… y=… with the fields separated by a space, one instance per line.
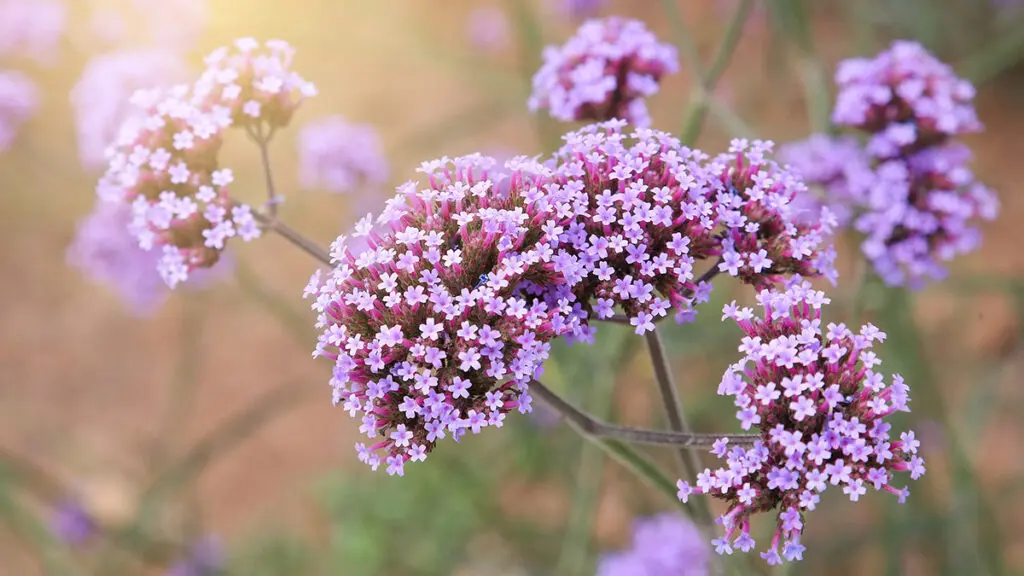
x=439 y=325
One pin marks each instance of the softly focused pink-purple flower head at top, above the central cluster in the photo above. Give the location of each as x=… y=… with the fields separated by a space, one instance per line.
x=604 y=72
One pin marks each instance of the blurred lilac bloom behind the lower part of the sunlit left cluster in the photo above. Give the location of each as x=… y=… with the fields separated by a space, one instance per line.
x=106 y=252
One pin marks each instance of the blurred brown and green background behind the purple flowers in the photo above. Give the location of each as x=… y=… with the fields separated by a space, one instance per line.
x=202 y=420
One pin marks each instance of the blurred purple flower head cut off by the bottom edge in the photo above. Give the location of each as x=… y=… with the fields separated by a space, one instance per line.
x=663 y=545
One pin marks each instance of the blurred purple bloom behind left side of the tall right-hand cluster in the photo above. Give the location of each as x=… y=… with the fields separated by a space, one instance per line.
x=836 y=169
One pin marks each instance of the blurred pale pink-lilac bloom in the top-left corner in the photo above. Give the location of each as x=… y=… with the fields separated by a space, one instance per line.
x=32 y=29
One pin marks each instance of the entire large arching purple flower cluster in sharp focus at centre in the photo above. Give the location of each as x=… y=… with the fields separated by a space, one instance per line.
x=439 y=325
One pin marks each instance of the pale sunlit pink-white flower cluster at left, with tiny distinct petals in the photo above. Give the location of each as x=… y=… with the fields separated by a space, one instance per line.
x=165 y=164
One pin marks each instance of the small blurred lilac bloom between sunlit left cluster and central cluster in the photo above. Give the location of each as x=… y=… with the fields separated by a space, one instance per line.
x=338 y=156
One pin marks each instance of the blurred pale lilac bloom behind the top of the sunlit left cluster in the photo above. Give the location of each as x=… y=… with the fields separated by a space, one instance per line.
x=101 y=98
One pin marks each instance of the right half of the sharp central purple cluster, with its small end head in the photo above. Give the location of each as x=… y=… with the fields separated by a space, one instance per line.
x=642 y=212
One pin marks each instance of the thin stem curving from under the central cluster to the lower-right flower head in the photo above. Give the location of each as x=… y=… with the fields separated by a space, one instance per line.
x=588 y=426
